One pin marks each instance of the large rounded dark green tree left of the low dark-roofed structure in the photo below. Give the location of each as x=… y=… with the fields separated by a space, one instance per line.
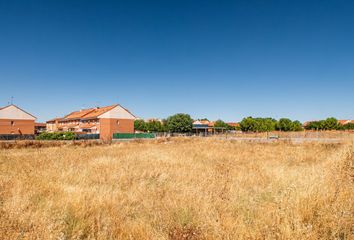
x=180 y=123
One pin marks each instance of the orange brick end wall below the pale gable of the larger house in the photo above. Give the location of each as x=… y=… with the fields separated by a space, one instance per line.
x=108 y=126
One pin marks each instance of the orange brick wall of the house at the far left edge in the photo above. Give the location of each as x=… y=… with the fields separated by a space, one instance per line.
x=13 y=126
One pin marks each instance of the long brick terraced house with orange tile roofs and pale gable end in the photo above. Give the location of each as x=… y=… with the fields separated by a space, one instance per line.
x=100 y=120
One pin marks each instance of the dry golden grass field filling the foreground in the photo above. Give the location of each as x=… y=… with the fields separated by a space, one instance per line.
x=178 y=189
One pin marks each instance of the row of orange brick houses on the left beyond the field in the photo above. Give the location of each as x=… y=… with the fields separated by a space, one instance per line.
x=99 y=120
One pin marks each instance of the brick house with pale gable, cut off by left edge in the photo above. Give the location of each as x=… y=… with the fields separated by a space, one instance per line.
x=14 y=120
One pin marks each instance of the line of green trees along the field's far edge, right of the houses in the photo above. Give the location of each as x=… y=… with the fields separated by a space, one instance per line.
x=183 y=123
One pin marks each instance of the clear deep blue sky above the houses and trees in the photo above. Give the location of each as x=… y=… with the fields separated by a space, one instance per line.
x=214 y=59
